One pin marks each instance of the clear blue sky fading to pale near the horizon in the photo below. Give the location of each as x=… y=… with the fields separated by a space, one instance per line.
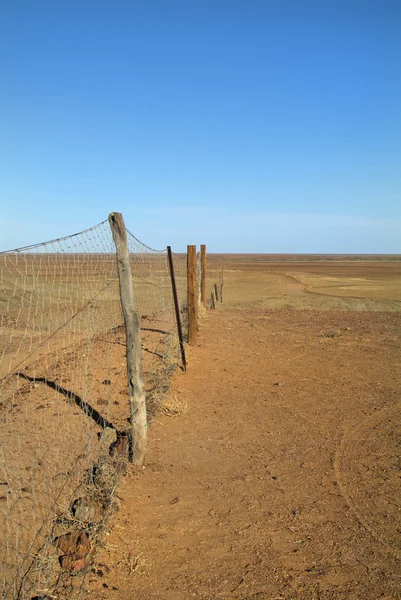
x=251 y=126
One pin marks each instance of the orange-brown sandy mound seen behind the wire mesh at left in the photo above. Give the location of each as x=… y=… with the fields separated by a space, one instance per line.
x=52 y=416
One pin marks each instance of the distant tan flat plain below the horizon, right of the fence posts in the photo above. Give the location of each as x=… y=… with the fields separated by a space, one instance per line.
x=305 y=281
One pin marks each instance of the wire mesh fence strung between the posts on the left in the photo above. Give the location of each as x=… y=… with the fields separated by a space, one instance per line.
x=64 y=401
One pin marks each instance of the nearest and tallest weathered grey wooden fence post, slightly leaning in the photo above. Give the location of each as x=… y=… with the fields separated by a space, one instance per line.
x=136 y=387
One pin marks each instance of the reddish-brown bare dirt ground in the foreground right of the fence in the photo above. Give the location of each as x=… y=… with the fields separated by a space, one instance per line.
x=280 y=482
